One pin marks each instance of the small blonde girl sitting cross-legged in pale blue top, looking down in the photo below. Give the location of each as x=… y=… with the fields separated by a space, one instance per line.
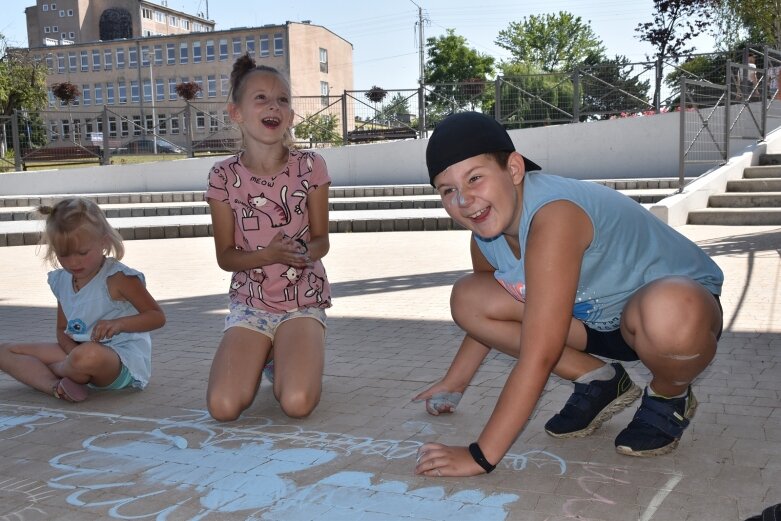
x=104 y=312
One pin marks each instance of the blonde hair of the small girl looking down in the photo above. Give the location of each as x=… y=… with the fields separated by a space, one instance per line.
x=71 y=215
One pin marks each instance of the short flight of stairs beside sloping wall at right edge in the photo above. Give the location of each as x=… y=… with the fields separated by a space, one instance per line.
x=753 y=200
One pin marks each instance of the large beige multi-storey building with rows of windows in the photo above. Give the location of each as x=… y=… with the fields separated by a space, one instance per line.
x=128 y=56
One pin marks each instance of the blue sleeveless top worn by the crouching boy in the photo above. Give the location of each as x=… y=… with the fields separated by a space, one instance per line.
x=630 y=248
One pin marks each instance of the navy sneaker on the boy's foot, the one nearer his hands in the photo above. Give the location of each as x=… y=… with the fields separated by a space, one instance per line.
x=593 y=404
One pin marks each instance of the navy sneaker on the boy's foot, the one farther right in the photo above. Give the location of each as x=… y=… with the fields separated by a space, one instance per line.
x=657 y=426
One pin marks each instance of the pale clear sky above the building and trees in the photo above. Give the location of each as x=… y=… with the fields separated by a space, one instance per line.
x=384 y=33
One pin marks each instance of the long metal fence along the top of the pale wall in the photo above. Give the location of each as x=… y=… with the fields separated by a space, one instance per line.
x=66 y=134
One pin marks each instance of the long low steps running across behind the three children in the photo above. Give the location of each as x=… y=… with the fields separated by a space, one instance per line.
x=163 y=215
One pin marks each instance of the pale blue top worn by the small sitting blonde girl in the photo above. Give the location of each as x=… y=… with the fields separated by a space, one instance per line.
x=92 y=303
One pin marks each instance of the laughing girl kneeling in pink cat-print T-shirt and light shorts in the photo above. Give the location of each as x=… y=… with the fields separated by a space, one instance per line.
x=269 y=208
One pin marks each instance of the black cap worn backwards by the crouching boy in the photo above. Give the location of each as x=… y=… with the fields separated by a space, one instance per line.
x=464 y=135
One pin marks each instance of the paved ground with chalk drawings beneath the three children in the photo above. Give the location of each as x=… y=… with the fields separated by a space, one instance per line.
x=156 y=454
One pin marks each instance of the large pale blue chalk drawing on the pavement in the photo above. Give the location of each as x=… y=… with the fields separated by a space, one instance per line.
x=191 y=467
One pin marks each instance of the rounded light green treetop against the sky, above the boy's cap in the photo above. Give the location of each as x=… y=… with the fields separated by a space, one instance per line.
x=551 y=42
